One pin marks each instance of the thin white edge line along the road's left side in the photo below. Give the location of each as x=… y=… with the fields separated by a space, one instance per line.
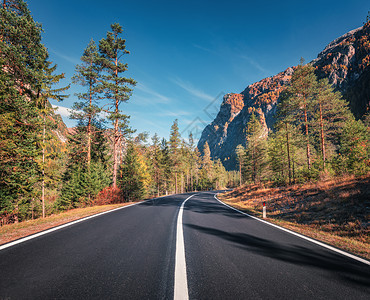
x=30 y=237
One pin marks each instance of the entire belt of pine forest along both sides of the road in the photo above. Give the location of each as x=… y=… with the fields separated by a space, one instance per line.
x=106 y=161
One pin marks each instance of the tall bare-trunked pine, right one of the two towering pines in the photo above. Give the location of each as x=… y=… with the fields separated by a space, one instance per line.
x=116 y=88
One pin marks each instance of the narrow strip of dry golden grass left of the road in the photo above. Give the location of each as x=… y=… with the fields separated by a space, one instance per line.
x=11 y=232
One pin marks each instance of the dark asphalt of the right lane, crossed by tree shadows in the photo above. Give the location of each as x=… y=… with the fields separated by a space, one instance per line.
x=232 y=256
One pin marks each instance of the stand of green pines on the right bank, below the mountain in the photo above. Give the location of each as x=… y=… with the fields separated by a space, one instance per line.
x=316 y=136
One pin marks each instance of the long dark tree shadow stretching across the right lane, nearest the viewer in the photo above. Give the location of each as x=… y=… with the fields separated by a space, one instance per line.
x=342 y=267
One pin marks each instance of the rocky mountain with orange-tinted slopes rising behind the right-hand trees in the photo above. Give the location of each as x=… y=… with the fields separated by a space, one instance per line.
x=345 y=61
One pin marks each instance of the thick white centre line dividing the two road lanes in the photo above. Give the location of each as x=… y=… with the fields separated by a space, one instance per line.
x=181 y=281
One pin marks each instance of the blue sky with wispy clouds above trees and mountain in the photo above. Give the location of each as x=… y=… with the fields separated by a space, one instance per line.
x=186 y=54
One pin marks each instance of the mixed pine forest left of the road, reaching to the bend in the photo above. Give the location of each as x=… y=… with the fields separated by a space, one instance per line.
x=104 y=161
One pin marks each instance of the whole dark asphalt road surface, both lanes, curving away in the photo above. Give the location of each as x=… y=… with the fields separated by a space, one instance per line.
x=130 y=254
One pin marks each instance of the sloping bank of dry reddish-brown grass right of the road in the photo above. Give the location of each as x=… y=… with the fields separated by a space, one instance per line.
x=336 y=212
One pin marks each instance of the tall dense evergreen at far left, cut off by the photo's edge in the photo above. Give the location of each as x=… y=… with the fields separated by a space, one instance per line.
x=25 y=83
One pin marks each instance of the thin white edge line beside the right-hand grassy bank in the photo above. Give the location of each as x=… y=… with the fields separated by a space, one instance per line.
x=300 y=235
